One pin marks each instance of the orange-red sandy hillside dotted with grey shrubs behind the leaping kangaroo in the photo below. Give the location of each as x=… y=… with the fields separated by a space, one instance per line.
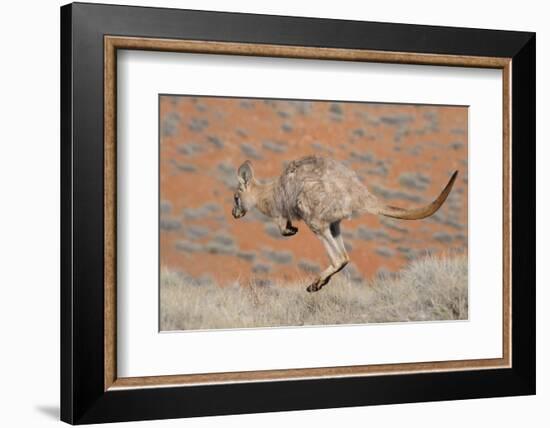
x=405 y=154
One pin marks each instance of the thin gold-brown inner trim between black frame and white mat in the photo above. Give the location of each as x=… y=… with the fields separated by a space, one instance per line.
x=113 y=43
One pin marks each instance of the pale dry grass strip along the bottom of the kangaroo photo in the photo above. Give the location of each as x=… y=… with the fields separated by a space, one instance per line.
x=427 y=290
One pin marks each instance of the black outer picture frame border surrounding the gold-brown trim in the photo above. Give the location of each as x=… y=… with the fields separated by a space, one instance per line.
x=83 y=398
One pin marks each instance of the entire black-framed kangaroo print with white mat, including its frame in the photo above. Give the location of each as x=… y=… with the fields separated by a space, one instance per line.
x=265 y=213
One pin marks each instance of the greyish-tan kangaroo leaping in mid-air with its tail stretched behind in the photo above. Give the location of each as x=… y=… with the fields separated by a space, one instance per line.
x=321 y=192
